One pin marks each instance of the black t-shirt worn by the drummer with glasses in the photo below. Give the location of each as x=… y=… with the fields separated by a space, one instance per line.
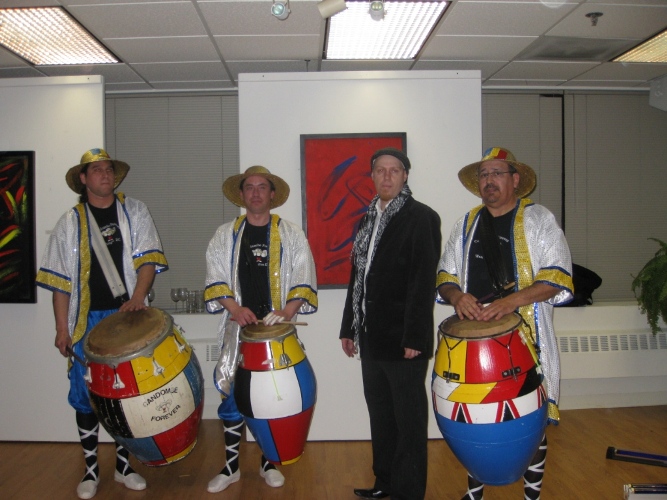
x=479 y=280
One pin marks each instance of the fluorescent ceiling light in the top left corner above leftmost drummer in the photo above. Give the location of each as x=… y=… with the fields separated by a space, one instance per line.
x=48 y=35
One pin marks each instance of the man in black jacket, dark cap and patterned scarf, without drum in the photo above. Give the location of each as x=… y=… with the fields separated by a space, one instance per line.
x=388 y=320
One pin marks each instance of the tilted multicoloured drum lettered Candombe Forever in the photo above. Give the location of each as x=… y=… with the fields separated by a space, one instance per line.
x=145 y=384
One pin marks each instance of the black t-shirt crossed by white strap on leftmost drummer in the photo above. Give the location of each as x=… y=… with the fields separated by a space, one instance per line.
x=101 y=297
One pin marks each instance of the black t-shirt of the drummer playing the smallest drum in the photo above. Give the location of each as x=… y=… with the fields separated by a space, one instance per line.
x=254 y=269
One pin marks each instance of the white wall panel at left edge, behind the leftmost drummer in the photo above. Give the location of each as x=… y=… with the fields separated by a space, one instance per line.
x=59 y=118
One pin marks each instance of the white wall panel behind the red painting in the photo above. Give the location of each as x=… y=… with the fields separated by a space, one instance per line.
x=441 y=113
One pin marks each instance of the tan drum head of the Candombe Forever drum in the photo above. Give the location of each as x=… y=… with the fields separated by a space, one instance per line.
x=124 y=335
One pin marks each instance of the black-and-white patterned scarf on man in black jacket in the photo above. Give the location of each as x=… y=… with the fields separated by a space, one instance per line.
x=360 y=249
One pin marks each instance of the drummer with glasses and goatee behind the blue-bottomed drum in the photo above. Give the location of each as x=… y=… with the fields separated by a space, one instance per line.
x=506 y=255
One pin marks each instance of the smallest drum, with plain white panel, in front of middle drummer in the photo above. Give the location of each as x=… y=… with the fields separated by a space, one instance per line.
x=275 y=390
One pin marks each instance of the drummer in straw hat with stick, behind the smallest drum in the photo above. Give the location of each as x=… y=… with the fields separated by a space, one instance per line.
x=259 y=269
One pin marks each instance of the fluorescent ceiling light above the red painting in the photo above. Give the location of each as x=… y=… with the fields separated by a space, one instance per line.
x=353 y=34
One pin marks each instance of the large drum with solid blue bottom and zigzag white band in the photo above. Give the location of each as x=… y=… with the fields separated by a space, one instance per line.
x=488 y=396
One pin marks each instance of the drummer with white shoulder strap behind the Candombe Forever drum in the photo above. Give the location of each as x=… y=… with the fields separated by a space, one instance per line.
x=74 y=268
